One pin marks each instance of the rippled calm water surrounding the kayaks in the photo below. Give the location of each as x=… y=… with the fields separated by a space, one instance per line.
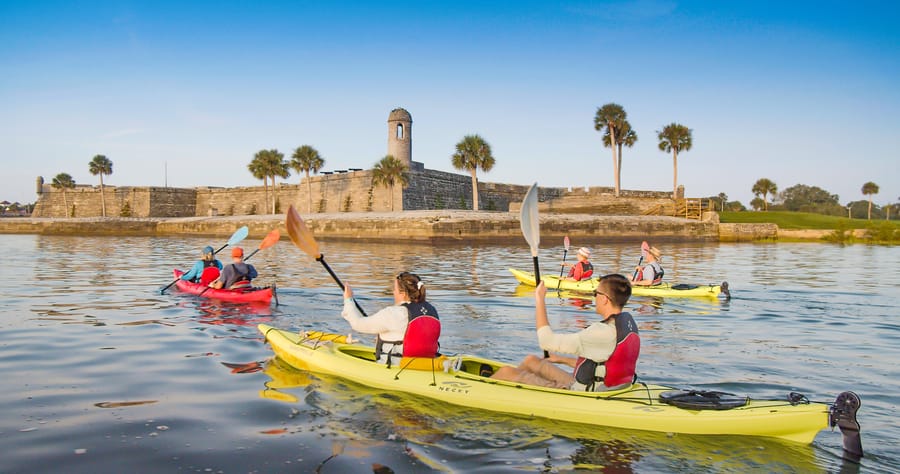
x=104 y=374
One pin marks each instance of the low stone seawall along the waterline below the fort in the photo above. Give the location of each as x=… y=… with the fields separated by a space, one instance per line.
x=421 y=227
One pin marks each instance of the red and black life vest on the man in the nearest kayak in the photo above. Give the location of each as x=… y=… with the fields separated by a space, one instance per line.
x=621 y=364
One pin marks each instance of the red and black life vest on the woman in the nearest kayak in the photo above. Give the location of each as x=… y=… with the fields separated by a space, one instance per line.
x=422 y=332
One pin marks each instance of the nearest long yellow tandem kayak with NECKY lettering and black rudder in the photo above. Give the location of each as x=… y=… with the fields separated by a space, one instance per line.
x=457 y=380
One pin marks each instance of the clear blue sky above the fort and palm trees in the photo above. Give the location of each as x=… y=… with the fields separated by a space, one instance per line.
x=183 y=94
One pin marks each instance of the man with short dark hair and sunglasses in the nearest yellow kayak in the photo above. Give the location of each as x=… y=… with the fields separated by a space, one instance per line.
x=607 y=351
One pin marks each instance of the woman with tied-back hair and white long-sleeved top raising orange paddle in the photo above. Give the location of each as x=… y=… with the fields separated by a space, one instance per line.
x=408 y=328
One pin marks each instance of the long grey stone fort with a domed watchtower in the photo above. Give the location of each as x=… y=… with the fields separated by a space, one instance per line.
x=341 y=190
